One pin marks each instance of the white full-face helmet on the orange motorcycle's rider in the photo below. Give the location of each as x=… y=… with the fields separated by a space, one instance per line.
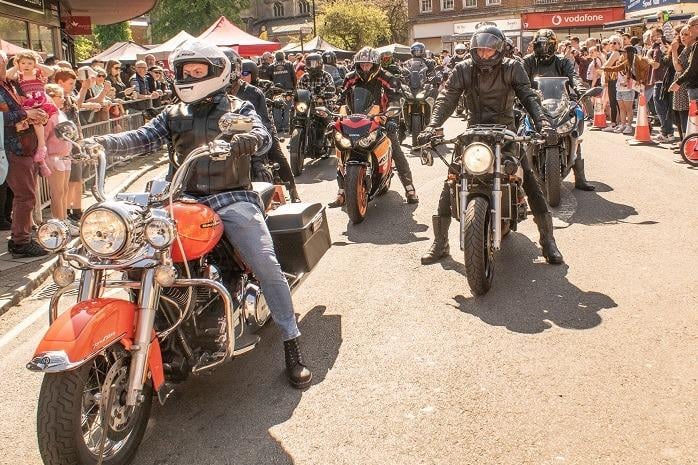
x=194 y=87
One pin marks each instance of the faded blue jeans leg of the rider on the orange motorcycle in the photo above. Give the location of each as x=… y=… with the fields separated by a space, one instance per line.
x=247 y=231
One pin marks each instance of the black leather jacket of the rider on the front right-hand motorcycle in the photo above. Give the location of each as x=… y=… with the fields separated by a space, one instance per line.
x=489 y=95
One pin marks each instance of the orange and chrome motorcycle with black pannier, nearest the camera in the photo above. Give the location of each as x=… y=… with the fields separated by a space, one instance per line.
x=190 y=304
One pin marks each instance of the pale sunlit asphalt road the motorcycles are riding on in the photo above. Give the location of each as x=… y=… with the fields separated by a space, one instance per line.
x=592 y=362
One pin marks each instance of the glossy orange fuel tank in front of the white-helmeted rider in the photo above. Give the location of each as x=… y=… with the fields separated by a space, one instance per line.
x=198 y=227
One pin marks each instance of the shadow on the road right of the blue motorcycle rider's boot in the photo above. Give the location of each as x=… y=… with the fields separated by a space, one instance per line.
x=592 y=209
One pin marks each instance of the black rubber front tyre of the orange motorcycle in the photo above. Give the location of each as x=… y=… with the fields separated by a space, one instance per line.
x=62 y=399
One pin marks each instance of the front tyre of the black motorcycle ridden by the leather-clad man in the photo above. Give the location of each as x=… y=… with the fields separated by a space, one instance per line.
x=478 y=252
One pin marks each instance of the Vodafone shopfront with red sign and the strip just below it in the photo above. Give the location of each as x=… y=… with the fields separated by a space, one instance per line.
x=570 y=23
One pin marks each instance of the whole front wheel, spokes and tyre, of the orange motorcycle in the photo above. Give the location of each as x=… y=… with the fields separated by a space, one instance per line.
x=71 y=404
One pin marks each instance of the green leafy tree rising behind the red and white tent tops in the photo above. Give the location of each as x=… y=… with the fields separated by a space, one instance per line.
x=171 y=16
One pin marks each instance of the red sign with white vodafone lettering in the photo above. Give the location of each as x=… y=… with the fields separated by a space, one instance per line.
x=570 y=19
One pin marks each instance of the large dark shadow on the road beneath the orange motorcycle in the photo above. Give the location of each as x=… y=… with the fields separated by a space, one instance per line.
x=226 y=418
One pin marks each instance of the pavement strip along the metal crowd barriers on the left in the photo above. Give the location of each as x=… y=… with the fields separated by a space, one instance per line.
x=20 y=276
